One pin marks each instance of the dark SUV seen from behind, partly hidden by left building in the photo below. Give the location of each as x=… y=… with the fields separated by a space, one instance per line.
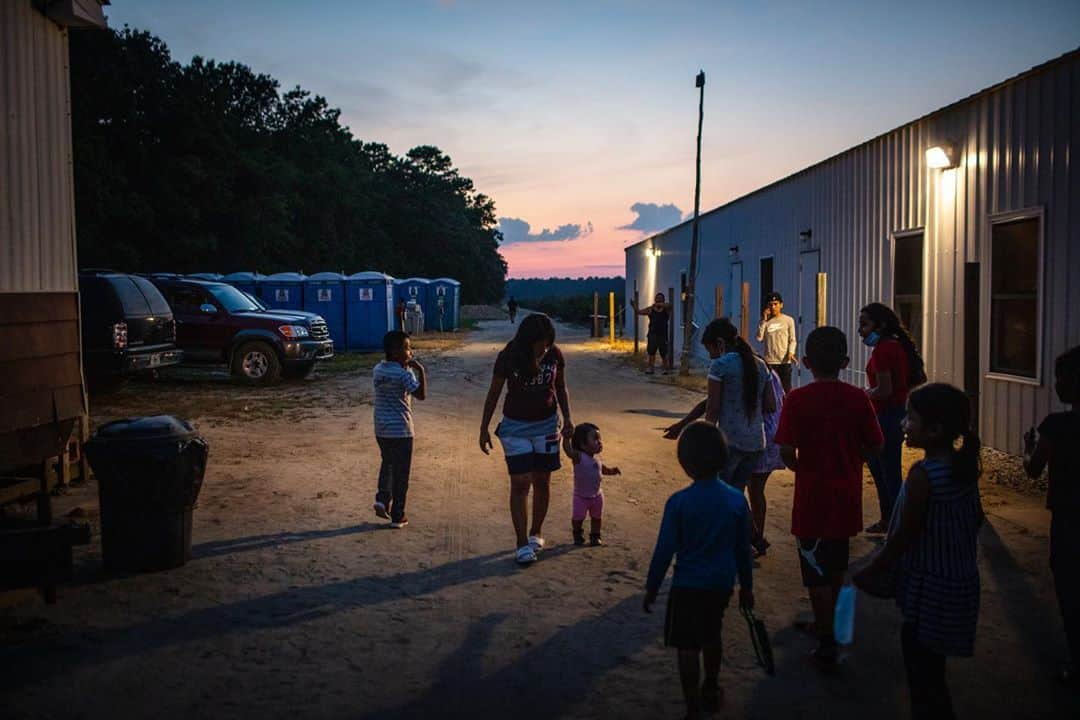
x=127 y=328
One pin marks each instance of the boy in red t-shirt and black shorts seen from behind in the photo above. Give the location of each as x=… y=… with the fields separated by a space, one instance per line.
x=827 y=431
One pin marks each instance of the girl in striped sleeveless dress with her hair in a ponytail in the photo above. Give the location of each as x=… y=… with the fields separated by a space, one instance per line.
x=934 y=539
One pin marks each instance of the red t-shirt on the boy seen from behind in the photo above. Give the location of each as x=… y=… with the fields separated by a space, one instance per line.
x=829 y=424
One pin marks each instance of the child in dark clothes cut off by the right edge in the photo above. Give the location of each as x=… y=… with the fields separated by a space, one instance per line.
x=1058 y=445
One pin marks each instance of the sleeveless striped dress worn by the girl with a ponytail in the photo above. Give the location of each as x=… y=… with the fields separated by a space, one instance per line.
x=939 y=585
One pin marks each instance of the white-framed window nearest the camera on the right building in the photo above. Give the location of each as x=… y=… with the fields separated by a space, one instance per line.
x=1016 y=259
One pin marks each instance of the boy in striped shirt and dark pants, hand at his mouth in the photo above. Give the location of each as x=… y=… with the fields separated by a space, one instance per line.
x=397 y=381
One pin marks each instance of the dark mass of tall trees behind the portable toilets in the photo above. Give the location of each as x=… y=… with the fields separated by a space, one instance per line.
x=210 y=168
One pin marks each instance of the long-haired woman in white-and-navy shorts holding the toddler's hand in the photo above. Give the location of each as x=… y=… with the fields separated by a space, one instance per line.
x=533 y=370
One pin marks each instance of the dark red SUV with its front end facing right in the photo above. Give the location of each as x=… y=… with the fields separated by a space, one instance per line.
x=219 y=324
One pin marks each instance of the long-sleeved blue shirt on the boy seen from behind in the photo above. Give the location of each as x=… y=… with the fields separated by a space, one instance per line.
x=707 y=528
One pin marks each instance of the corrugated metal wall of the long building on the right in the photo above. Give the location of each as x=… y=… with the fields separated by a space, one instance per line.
x=1016 y=143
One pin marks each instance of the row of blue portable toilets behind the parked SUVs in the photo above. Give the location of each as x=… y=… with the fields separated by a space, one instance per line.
x=359 y=309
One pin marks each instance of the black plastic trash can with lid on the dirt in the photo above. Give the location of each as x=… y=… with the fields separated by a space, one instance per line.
x=150 y=472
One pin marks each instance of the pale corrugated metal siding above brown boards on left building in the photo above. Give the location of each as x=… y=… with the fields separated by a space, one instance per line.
x=37 y=206
